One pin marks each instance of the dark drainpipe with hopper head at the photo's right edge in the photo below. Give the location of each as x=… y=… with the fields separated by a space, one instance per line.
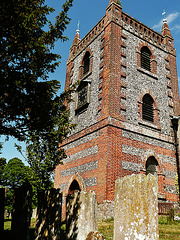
x=175 y=121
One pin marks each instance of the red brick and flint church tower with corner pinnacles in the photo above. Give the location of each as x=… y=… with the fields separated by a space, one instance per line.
x=123 y=107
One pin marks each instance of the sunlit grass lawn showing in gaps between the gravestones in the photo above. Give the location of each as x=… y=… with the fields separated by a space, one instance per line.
x=166 y=231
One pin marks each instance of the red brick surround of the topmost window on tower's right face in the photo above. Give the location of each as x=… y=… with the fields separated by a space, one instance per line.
x=153 y=56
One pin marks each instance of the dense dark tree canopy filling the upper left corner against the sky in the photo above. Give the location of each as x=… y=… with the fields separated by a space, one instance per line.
x=28 y=100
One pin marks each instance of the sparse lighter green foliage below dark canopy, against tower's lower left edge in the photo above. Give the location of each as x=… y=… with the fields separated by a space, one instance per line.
x=42 y=152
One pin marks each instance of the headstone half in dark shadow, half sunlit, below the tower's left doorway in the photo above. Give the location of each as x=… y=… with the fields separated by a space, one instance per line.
x=81 y=215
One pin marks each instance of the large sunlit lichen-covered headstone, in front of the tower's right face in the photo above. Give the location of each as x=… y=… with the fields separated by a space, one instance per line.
x=136 y=208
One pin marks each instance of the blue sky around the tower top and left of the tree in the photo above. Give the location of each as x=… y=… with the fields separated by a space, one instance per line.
x=89 y=12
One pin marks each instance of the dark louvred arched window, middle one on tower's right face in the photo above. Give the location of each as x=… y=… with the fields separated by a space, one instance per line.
x=147 y=108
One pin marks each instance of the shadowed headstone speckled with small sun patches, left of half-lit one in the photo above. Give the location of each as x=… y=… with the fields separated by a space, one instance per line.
x=49 y=209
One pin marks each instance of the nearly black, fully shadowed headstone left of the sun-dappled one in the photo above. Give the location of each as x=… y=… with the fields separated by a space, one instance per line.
x=21 y=216
